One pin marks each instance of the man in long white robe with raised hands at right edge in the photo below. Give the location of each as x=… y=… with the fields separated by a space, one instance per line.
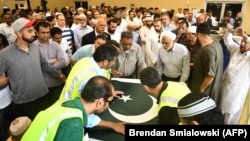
x=236 y=78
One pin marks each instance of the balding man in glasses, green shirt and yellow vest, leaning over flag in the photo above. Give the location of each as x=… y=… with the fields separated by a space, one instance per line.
x=65 y=119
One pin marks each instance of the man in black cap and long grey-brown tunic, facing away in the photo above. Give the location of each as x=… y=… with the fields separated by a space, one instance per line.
x=208 y=68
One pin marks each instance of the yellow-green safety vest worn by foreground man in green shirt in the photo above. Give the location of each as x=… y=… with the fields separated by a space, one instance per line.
x=45 y=125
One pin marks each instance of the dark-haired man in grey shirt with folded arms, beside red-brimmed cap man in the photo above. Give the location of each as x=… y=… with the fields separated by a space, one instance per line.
x=53 y=54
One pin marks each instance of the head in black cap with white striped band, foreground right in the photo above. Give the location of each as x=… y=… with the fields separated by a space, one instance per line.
x=199 y=109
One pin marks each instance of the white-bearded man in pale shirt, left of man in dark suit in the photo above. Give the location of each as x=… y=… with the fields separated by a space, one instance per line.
x=81 y=30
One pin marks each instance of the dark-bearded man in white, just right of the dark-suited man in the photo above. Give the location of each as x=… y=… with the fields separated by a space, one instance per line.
x=111 y=30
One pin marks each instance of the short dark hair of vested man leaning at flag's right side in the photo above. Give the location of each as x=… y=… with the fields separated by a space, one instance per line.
x=150 y=77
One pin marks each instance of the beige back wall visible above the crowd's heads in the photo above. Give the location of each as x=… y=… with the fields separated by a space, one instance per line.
x=167 y=4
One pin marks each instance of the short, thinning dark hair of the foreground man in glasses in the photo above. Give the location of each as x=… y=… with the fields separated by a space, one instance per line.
x=97 y=87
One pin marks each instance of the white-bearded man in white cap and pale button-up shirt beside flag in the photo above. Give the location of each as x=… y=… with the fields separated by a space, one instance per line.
x=173 y=62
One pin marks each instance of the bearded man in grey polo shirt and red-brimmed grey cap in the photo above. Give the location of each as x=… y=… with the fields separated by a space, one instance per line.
x=24 y=64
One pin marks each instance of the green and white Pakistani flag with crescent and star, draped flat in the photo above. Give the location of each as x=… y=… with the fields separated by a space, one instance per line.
x=134 y=107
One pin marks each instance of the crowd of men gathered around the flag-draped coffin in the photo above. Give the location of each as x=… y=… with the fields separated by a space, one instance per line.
x=56 y=66
